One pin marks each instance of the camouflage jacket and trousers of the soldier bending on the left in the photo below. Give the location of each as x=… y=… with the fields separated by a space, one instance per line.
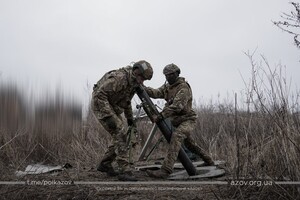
x=111 y=97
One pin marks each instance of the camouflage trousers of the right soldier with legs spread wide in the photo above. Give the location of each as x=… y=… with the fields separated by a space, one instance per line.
x=182 y=135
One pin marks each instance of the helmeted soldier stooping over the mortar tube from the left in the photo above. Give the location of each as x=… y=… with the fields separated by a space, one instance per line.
x=111 y=97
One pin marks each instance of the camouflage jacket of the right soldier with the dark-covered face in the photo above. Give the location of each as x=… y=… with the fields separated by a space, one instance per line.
x=179 y=101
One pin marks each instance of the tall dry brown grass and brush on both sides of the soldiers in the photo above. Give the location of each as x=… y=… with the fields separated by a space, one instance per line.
x=258 y=140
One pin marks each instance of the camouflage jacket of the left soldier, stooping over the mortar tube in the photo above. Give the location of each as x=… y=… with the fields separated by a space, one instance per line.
x=113 y=93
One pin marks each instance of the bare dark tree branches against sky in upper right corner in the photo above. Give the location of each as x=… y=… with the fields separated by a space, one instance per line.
x=291 y=23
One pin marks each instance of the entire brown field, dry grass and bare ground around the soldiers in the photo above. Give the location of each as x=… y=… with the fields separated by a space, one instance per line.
x=257 y=134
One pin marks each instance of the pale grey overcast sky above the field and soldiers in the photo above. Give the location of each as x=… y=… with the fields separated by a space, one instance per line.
x=69 y=43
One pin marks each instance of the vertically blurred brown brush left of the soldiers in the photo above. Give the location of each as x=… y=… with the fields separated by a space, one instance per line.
x=26 y=137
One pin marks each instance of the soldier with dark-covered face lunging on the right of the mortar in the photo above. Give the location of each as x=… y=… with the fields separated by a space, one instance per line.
x=178 y=108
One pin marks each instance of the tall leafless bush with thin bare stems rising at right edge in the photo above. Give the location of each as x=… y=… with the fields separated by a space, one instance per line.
x=269 y=130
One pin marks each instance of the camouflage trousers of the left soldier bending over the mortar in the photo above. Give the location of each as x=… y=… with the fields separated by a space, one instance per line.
x=117 y=150
